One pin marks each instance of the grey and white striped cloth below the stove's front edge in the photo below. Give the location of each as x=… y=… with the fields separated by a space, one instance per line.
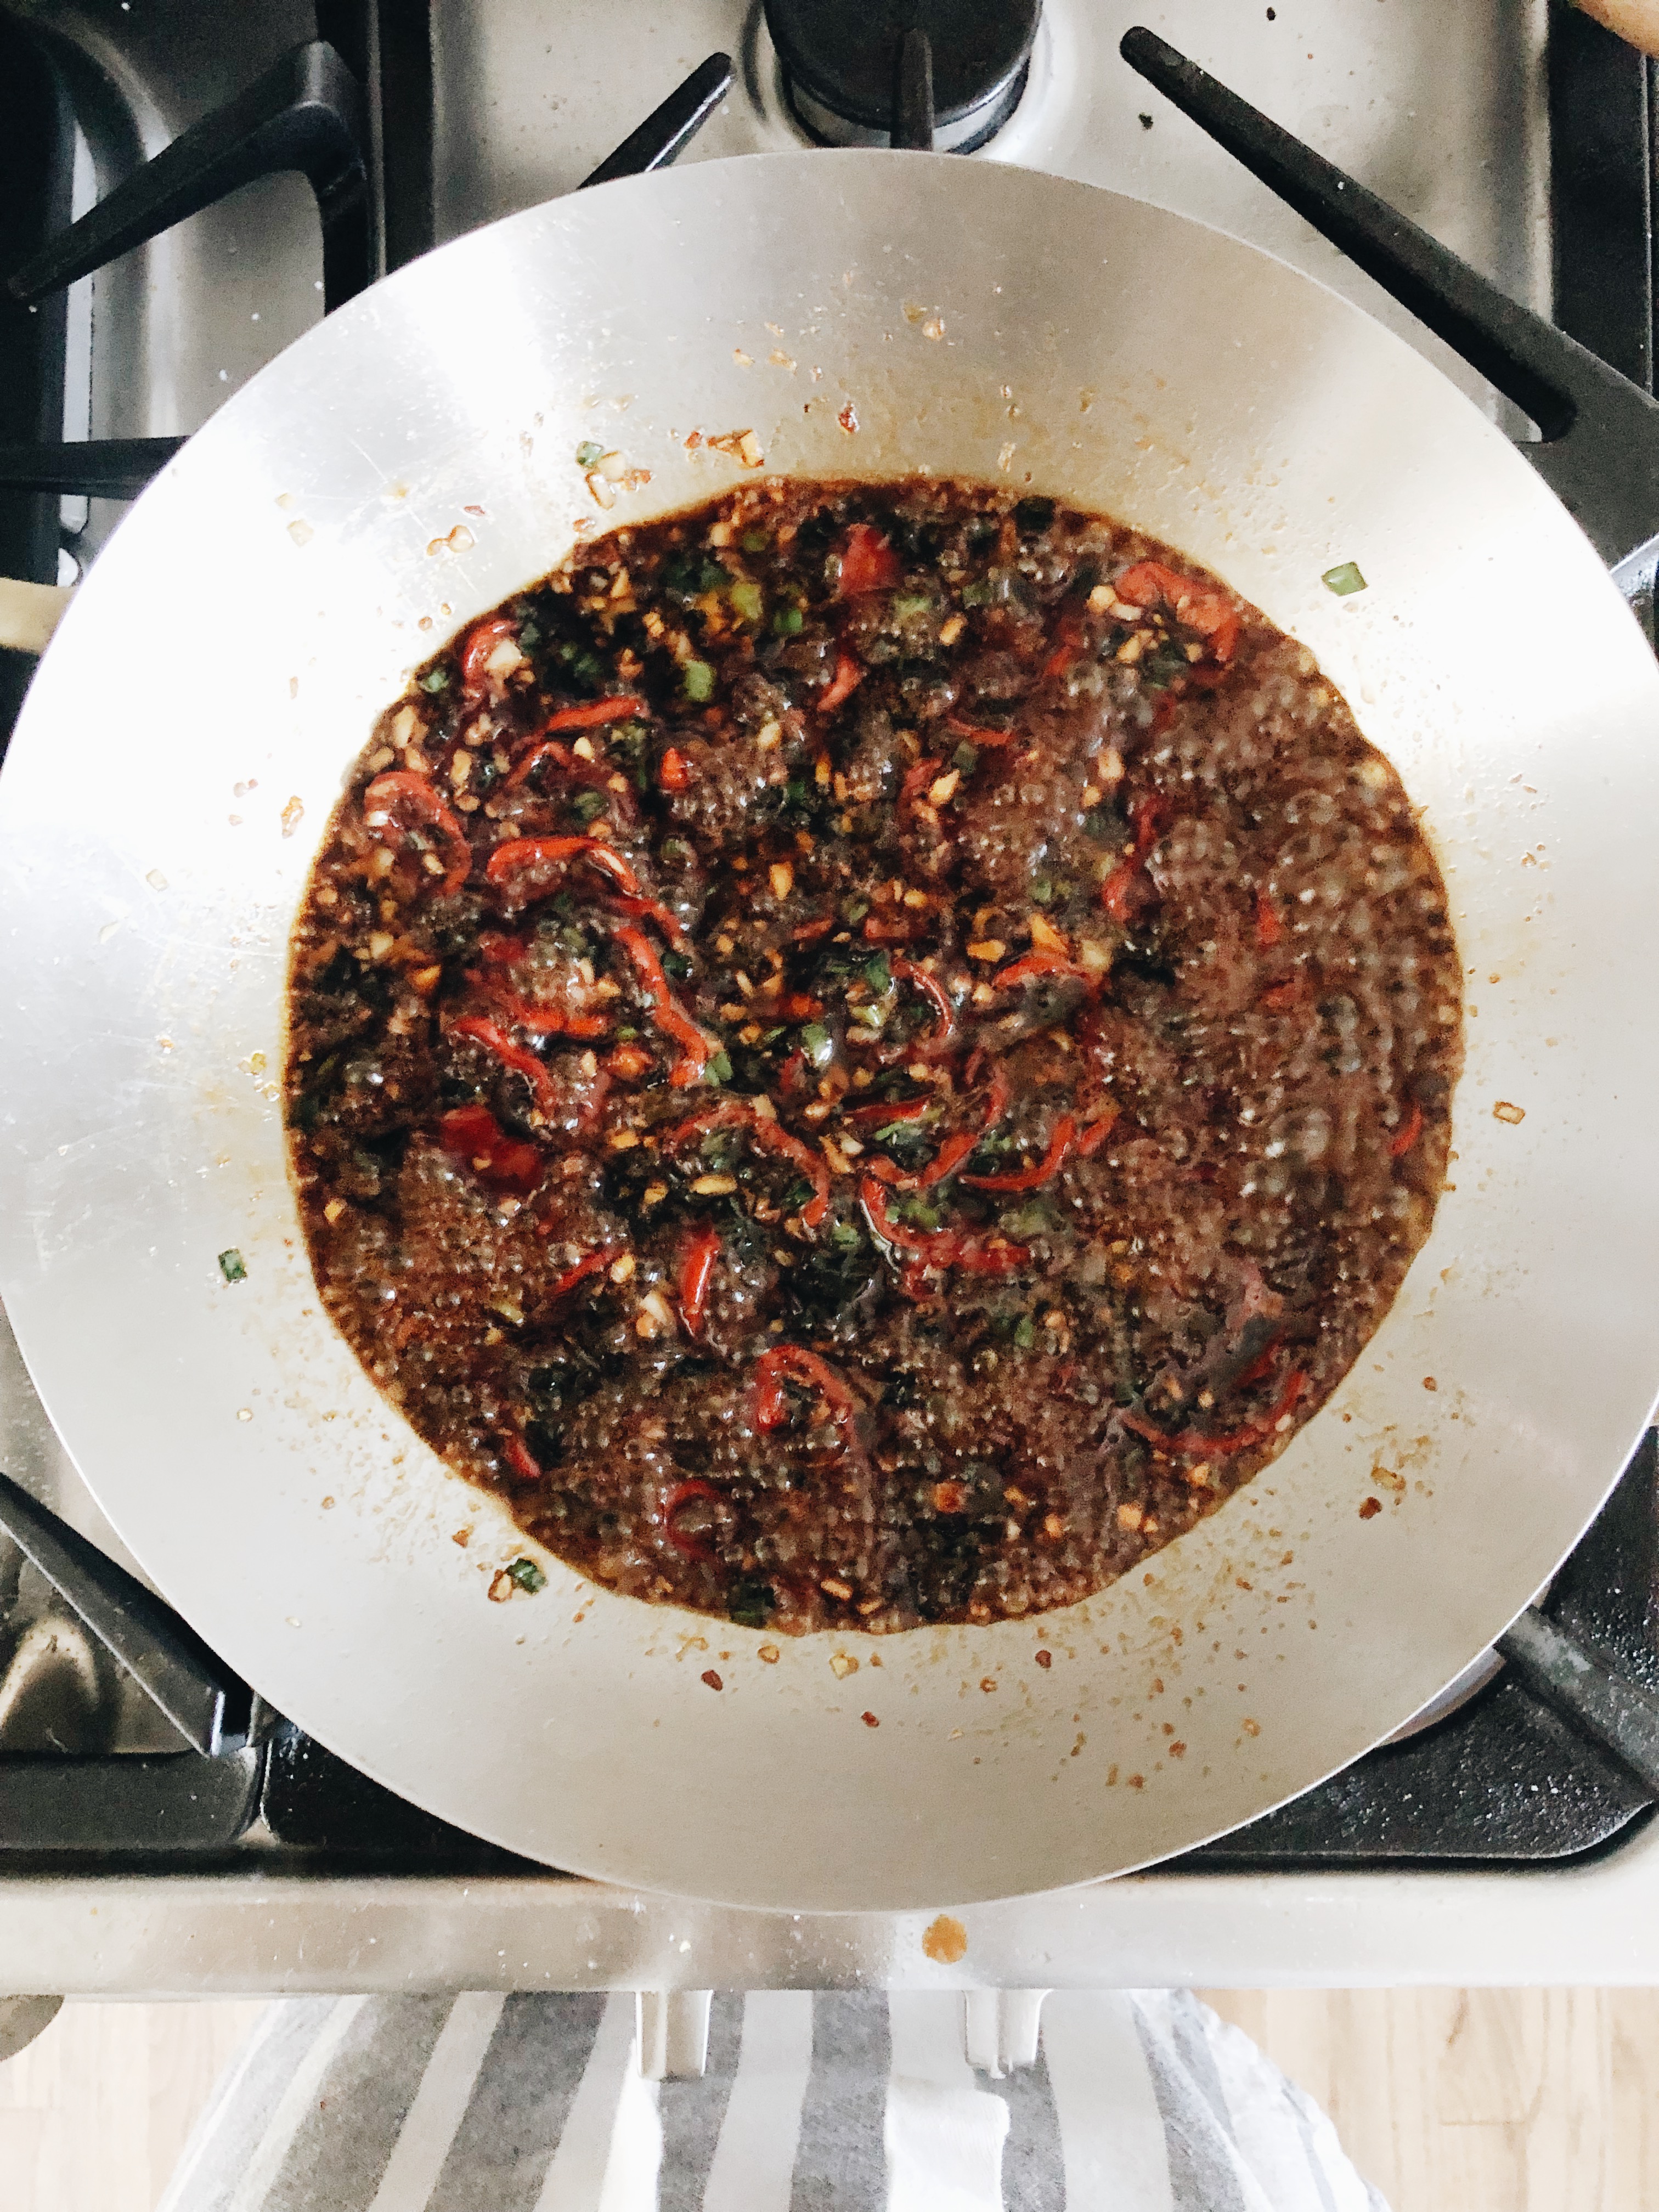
x=813 y=2103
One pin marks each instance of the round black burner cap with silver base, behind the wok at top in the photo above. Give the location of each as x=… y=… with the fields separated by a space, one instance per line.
x=842 y=65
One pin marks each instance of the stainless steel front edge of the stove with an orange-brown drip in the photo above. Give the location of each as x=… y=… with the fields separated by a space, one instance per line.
x=240 y=1934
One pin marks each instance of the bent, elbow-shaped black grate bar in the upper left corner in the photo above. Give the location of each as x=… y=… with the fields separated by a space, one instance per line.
x=304 y=114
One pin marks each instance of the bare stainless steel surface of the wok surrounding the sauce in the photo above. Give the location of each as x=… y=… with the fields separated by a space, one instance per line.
x=413 y=463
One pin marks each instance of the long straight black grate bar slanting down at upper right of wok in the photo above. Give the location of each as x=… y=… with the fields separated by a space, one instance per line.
x=1600 y=432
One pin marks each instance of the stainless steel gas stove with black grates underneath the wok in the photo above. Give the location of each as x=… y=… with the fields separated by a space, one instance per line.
x=311 y=152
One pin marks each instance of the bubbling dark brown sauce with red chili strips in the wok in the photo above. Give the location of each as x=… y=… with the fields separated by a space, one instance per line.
x=868 y=1054
